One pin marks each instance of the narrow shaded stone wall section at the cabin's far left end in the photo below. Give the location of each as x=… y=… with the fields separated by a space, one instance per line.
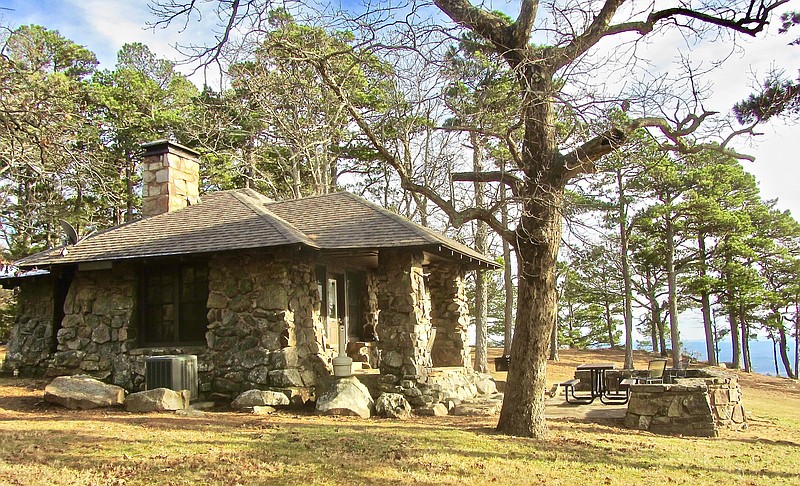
x=31 y=341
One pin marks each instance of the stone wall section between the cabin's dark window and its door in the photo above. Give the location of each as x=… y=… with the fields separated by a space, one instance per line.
x=264 y=329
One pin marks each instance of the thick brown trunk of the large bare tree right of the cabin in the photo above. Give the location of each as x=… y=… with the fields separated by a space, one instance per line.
x=538 y=236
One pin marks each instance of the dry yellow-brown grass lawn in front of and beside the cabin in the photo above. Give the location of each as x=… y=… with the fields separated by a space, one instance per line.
x=43 y=444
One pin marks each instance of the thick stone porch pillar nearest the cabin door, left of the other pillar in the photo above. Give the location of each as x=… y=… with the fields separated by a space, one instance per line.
x=404 y=327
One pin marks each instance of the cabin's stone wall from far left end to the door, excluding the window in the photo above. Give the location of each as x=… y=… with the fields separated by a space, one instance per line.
x=264 y=328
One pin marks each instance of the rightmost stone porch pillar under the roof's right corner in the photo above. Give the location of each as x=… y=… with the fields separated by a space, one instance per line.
x=449 y=315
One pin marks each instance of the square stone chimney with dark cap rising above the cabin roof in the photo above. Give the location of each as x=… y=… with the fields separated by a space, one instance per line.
x=170 y=177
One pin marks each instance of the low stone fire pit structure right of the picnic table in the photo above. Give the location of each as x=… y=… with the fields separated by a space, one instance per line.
x=701 y=404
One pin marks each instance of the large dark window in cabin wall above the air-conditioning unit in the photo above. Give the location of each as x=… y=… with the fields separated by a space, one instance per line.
x=173 y=304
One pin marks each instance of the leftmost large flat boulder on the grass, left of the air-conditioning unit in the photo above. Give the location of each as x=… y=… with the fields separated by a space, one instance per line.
x=83 y=392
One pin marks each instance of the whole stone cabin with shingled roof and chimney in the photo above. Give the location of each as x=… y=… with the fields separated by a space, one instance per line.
x=255 y=288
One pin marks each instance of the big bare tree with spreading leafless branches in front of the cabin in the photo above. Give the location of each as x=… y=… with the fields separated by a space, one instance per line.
x=546 y=159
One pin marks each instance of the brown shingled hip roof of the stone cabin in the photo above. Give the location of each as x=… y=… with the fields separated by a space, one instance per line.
x=244 y=219
